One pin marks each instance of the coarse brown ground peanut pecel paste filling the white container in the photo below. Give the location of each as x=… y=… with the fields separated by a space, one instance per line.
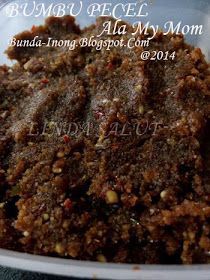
x=132 y=184
